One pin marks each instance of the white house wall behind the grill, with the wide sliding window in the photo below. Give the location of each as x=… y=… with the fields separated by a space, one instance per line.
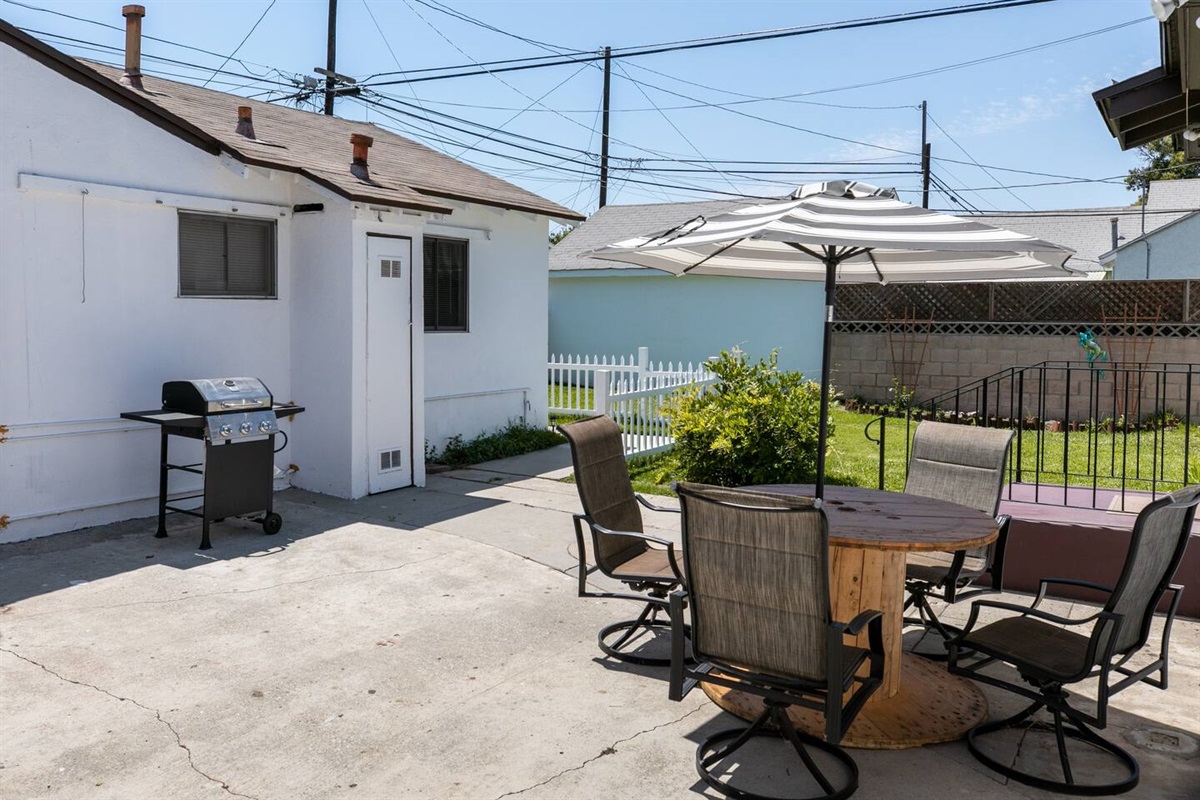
x=91 y=323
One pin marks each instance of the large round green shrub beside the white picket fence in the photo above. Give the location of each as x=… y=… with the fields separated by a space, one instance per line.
x=757 y=425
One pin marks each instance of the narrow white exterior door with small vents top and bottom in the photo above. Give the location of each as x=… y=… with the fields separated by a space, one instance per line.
x=389 y=364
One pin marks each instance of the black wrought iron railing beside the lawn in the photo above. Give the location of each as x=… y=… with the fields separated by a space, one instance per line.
x=1089 y=435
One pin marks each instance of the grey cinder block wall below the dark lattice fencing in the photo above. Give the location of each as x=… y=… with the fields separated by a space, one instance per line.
x=862 y=365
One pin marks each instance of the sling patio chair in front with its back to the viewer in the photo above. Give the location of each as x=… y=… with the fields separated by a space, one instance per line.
x=758 y=585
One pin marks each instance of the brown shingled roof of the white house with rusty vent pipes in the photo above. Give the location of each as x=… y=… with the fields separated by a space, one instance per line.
x=403 y=173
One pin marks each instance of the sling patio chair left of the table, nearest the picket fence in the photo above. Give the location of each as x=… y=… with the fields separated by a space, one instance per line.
x=621 y=549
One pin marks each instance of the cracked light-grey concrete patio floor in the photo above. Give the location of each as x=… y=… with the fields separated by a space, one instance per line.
x=423 y=643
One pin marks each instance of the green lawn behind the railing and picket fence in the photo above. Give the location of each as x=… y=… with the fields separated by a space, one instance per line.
x=854 y=461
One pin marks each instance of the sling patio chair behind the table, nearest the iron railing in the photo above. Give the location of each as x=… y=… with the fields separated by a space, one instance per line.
x=962 y=465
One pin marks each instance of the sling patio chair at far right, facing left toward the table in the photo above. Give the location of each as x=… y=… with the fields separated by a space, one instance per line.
x=1049 y=654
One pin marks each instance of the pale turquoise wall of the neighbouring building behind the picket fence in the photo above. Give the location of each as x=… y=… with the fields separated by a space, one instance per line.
x=687 y=318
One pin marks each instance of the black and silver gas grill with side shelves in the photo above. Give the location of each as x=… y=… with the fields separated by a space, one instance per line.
x=238 y=422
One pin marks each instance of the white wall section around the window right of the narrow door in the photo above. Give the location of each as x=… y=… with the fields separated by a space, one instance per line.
x=505 y=352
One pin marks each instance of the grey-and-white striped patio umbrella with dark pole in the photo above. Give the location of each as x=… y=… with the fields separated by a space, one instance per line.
x=842 y=232
